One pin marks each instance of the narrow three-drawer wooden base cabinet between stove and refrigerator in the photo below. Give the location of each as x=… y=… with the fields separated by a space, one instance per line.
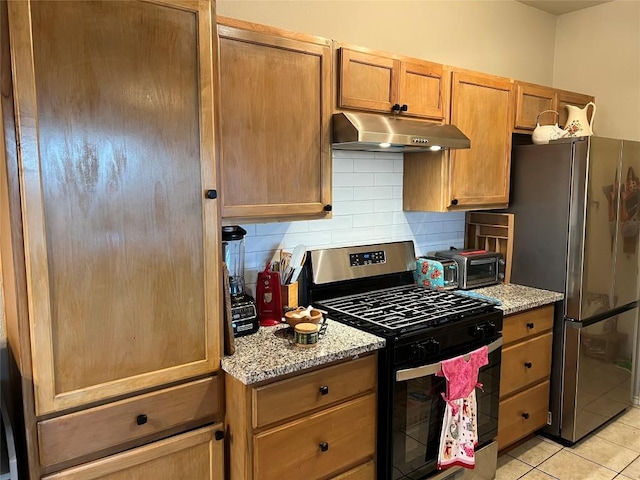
x=524 y=374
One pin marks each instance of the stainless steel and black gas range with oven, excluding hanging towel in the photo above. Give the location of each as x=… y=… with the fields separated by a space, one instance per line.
x=371 y=288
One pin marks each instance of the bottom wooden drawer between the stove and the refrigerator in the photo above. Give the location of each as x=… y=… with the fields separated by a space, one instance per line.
x=523 y=414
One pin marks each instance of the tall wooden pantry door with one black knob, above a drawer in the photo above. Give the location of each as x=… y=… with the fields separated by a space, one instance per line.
x=116 y=133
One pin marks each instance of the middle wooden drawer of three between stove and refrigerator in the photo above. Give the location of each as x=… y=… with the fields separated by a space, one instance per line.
x=525 y=363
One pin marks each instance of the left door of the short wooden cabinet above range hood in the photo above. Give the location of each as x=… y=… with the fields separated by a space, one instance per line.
x=367 y=81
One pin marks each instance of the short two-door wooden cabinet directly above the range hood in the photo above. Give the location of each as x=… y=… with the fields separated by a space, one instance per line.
x=377 y=82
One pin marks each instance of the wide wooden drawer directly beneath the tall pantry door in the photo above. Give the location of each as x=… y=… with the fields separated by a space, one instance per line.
x=96 y=429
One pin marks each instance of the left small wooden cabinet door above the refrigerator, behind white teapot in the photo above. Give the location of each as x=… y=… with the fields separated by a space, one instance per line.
x=530 y=101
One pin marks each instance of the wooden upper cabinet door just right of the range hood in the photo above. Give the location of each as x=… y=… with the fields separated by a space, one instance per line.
x=481 y=108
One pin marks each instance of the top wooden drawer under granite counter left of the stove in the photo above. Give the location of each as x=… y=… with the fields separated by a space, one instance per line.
x=304 y=393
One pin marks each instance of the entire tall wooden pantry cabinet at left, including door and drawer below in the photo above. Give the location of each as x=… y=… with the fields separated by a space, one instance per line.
x=110 y=235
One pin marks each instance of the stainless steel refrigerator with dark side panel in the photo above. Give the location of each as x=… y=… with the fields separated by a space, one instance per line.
x=575 y=205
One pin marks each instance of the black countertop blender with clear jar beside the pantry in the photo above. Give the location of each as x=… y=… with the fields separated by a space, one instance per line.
x=244 y=317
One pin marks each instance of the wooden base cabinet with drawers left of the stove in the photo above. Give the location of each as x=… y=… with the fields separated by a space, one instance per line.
x=318 y=424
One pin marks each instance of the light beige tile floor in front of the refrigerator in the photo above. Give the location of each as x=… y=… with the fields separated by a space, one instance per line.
x=612 y=452
